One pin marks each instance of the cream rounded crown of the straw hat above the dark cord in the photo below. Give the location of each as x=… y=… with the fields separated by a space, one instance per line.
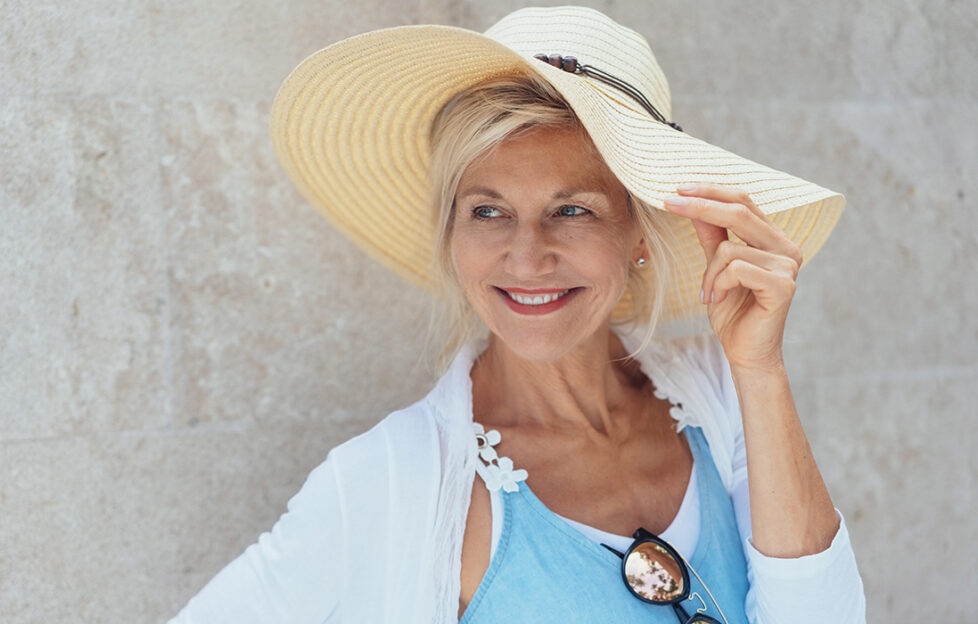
x=593 y=38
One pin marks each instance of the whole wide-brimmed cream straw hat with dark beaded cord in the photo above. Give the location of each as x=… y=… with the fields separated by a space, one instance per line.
x=351 y=126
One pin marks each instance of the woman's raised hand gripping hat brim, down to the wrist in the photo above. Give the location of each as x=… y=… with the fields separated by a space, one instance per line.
x=748 y=287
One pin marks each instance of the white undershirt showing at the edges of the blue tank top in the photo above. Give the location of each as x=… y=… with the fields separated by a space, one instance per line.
x=682 y=533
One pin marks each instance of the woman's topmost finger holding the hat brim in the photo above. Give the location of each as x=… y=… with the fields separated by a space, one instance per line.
x=754 y=229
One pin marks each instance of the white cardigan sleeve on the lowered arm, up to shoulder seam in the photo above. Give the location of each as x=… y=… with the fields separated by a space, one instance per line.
x=291 y=574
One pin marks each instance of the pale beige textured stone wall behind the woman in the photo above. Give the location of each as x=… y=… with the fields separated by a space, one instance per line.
x=182 y=339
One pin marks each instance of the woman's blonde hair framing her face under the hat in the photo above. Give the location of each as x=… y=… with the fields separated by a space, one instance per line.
x=470 y=126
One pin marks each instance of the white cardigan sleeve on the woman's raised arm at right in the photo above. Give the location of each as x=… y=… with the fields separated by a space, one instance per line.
x=818 y=588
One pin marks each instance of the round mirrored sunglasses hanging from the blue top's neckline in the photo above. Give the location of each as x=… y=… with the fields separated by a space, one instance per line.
x=656 y=573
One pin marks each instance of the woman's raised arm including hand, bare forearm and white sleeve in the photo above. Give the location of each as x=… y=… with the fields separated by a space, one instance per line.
x=801 y=564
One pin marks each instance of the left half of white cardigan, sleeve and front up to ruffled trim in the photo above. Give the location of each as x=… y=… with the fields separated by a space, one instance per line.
x=354 y=544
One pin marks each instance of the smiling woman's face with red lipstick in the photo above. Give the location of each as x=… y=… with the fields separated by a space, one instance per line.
x=543 y=241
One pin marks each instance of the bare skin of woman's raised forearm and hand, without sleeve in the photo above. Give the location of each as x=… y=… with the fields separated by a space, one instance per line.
x=748 y=289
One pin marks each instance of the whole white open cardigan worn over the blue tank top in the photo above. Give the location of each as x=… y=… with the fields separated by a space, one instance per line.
x=375 y=533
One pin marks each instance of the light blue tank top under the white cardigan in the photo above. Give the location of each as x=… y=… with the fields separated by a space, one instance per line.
x=545 y=571
